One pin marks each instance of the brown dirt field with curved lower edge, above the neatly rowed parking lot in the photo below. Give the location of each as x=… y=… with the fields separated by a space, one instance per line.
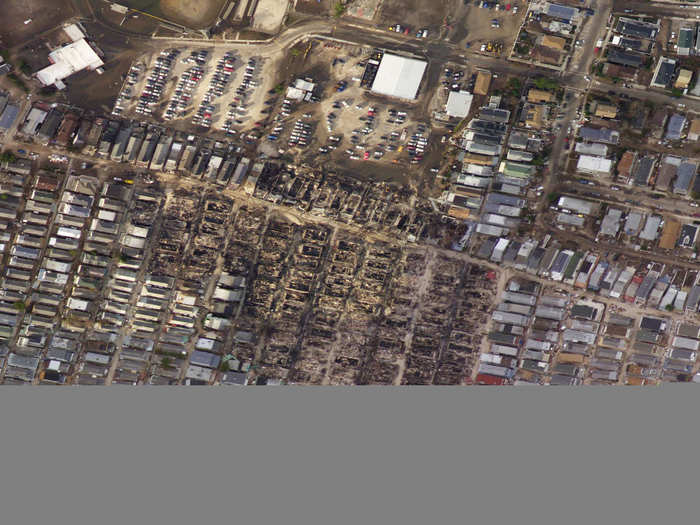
x=196 y=14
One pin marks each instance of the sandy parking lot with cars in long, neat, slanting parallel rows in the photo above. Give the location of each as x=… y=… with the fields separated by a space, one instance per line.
x=213 y=88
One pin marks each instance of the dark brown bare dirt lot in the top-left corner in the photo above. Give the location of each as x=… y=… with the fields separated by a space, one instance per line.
x=45 y=14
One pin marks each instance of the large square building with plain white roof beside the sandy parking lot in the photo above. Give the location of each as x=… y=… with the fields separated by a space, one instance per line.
x=399 y=76
